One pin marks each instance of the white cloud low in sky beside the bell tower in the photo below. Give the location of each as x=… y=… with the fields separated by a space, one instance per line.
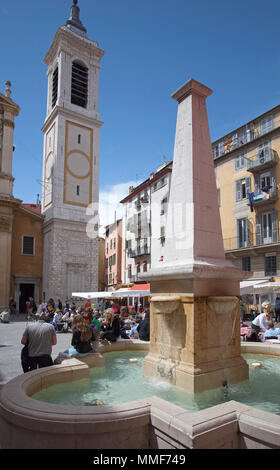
x=109 y=203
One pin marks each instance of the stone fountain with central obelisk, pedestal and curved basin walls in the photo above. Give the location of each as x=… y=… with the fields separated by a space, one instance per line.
x=195 y=335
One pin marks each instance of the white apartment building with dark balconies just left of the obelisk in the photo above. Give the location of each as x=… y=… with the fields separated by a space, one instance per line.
x=144 y=218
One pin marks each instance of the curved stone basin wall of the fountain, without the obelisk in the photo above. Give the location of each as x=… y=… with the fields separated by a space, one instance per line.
x=150 y=423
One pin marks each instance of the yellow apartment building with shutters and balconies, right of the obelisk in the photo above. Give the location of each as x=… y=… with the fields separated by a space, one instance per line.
x=248 y=177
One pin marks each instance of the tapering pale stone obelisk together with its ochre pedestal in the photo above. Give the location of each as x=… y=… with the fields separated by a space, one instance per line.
x=195 y=320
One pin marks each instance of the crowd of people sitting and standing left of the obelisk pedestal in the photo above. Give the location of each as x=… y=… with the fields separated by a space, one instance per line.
x=90 y=326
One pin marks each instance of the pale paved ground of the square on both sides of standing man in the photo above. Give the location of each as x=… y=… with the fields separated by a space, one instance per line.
x=10 y=347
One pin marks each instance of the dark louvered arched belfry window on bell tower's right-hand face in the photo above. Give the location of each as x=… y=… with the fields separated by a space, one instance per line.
x=79 y=88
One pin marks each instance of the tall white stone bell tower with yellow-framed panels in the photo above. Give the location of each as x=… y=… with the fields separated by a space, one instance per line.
x=71 y=161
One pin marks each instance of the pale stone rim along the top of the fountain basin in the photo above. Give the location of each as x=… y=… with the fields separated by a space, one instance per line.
x=13 y=396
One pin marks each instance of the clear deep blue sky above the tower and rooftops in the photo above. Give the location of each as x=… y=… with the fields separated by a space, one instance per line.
x=152 y=47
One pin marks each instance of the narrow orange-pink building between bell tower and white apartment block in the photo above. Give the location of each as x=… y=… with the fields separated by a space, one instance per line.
x=113 y=255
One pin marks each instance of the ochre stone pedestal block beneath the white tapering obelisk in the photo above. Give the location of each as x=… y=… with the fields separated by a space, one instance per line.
x=195 y=342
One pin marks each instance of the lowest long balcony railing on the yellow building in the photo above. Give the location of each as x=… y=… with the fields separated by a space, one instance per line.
x=263 y=237
